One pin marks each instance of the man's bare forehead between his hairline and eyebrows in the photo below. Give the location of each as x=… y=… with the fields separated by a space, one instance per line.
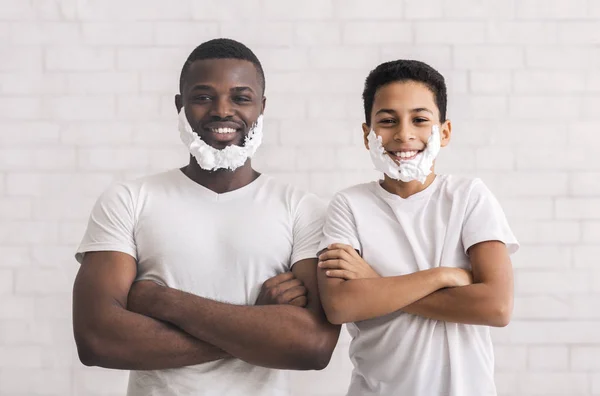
x=222 y=73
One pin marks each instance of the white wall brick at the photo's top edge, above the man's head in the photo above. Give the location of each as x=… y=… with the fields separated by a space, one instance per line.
x=222 y=10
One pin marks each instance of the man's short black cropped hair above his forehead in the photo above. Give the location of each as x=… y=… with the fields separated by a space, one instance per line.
x=222 y=48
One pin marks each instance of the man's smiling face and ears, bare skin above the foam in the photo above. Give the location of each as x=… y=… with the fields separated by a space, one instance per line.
x=223 y=98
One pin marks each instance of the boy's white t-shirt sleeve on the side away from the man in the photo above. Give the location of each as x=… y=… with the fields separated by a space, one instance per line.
x=485 y=220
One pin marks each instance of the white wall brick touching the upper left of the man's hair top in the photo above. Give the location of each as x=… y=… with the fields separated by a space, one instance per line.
x=187 y=33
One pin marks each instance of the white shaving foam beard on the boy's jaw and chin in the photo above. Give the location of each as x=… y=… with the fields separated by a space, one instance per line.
x=417 y=168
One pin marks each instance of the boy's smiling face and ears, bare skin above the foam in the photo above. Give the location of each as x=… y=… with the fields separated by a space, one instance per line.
x=403 y=115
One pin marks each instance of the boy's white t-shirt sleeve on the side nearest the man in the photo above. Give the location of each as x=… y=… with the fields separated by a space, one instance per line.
x=340 y=226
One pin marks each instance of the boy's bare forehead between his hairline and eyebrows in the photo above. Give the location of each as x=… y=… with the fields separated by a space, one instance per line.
x=404 y=95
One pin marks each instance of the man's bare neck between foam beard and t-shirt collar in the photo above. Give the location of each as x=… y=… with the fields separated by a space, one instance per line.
x=221 y=180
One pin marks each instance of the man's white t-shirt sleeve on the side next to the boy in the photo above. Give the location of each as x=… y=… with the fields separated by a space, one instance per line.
x=308 y=228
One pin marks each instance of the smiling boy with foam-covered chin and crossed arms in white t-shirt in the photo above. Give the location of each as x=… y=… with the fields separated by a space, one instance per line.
x=401 y=252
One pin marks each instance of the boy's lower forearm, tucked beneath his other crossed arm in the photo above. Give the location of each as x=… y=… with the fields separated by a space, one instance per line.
x=477 y=304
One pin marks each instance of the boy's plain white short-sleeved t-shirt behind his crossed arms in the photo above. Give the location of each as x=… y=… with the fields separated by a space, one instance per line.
x=400 y=353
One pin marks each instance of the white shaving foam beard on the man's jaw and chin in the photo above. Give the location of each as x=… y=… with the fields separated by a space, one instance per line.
x=210 y=158
